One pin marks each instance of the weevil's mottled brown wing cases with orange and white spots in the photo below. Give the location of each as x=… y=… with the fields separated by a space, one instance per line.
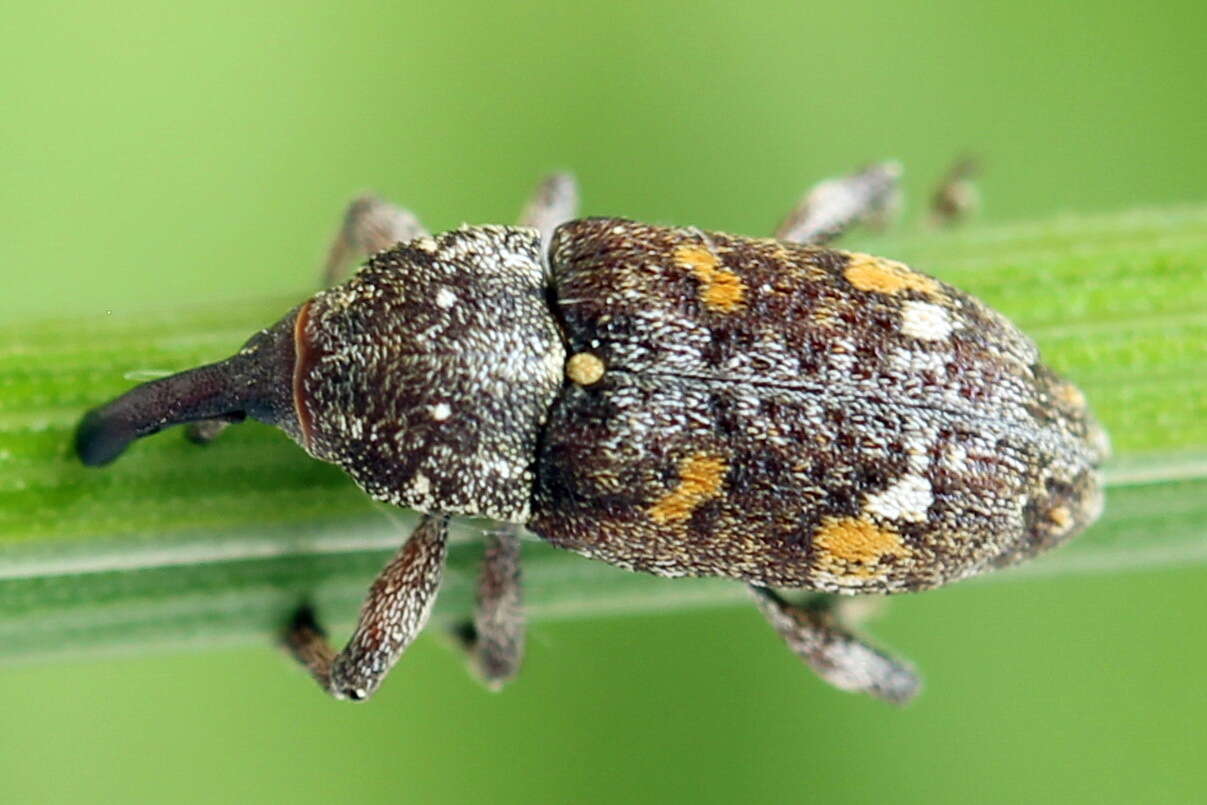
x=800 y=417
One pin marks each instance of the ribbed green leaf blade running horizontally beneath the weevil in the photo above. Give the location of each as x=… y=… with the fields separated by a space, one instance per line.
x=177 y=542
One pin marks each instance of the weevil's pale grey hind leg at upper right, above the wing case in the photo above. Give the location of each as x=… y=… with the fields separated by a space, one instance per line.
x=835 y=206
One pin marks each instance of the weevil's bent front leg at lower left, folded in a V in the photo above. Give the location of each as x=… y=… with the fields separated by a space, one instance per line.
x=393 y=616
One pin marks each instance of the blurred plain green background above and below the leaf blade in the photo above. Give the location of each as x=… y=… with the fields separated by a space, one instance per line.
x=156 y=155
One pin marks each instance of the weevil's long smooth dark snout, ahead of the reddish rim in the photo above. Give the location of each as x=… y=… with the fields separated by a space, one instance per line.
x=256 y=382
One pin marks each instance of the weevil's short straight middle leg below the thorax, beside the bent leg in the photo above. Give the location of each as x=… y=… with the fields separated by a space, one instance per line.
x=494 y=639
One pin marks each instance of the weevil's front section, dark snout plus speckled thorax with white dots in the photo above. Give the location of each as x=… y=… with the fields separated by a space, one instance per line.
x=428 y=377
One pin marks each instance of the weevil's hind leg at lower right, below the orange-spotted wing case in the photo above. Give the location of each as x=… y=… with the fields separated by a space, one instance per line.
x=815 y=634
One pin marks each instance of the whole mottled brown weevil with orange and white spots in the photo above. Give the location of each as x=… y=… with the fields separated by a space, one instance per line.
x=667 y=400
